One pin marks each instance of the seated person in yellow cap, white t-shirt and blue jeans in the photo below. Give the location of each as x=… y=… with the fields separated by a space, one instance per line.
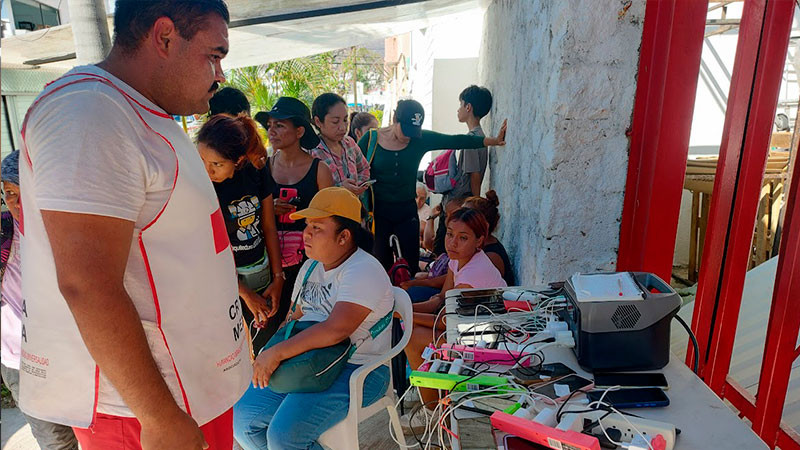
x=347 y=292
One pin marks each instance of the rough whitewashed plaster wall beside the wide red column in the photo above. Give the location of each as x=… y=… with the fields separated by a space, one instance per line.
x=564 y=74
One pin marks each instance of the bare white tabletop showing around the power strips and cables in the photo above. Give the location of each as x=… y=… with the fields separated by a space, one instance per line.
x=704 y=420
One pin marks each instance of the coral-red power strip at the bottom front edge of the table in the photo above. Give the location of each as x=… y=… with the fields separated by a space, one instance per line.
x=542 y=434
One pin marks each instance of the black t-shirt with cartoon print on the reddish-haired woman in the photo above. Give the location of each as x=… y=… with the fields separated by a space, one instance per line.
x=240 y=198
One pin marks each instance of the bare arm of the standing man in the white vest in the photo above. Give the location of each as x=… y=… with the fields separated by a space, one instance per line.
x=91 y=253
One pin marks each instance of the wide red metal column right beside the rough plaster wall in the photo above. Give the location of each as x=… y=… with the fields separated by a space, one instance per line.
x=669 y=64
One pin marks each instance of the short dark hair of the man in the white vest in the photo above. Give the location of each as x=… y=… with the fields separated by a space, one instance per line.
x=133 y=19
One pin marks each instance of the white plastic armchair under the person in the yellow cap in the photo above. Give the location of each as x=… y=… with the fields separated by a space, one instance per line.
x=344 y=435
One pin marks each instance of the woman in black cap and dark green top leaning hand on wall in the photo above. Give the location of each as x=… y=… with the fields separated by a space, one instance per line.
x=394 y=154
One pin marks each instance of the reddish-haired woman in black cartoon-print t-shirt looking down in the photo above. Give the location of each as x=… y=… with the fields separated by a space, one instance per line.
x=234 y=157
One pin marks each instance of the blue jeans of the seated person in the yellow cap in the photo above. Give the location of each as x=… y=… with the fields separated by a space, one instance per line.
x=263 y=419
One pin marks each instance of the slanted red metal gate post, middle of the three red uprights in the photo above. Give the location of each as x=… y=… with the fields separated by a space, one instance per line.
x=755 y=85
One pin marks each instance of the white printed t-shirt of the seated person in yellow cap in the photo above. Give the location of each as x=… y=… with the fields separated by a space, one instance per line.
x=360 y=280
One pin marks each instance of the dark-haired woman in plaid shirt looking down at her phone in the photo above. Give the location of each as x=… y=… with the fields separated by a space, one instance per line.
x=339 y=151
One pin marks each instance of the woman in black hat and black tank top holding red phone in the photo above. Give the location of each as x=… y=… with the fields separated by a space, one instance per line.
x=298 y=177
